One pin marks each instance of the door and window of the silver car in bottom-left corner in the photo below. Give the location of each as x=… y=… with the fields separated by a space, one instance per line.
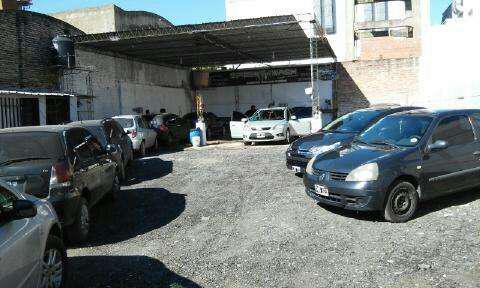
x=20 y=251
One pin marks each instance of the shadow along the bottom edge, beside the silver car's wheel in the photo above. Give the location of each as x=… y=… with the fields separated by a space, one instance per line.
x=123 y=272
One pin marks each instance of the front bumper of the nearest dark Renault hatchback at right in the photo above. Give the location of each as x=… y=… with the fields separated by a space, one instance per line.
x=359 y=196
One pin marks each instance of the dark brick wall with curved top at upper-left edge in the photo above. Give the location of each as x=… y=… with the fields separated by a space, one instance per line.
x=27 y=58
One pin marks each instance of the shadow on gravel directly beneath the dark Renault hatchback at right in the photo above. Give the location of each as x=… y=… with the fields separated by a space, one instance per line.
x=435 y=205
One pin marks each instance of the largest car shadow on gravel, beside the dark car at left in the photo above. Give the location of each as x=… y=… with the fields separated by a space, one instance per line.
x=136 y=212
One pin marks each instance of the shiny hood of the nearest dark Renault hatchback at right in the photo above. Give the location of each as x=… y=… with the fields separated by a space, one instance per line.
x=346 y=159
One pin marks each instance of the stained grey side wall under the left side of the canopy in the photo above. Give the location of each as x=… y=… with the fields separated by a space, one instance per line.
x=120 y=85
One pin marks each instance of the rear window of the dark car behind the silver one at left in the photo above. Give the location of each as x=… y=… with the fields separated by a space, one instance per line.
x=30 y=145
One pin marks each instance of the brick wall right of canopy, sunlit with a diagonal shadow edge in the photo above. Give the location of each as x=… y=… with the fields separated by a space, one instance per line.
x=361 y=84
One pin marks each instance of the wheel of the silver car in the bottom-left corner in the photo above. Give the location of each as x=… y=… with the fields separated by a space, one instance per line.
x=54 y=264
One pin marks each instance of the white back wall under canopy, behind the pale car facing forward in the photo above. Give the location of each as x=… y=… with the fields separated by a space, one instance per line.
x=221 y=101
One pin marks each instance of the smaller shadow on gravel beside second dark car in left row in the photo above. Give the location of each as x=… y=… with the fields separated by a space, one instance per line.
x=147 y=169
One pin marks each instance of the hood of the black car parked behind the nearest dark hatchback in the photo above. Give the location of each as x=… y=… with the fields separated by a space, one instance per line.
x=323 y=139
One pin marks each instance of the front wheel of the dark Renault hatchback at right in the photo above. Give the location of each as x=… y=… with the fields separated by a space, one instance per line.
x=402 y=203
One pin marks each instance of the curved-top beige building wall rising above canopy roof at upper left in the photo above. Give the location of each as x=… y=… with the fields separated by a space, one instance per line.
x=109 y=18
